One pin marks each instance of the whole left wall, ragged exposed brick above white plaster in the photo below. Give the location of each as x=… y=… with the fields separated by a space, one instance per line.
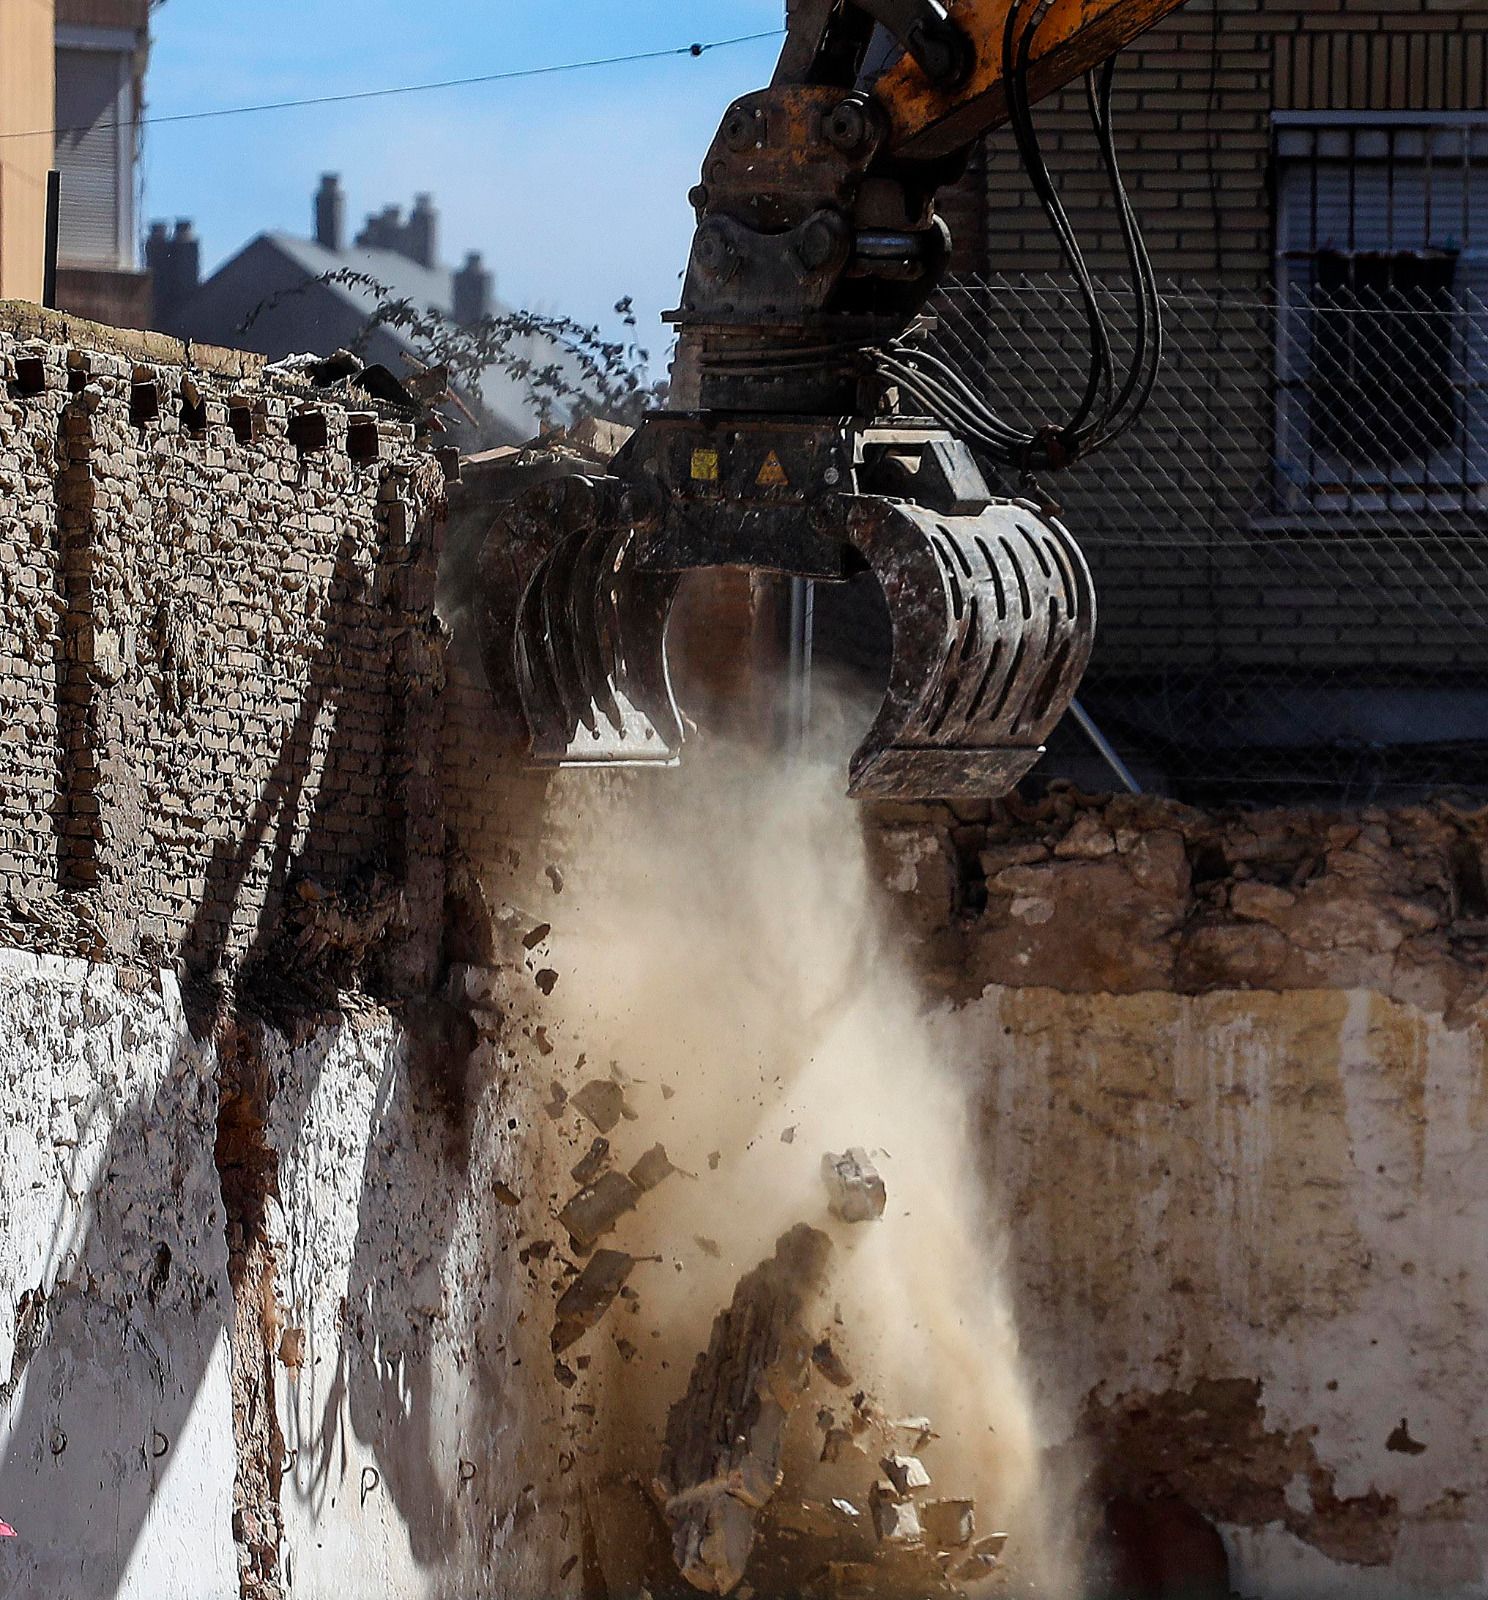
x=258 y=1318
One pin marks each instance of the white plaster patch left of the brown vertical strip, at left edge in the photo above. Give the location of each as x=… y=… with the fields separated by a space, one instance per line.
x=116 y=1431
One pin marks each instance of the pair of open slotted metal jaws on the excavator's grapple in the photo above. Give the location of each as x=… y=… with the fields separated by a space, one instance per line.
x=993 y=625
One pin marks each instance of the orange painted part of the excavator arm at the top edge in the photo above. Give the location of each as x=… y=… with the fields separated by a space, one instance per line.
x=1074 y=36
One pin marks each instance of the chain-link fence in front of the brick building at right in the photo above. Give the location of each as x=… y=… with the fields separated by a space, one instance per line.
x=1290 y=548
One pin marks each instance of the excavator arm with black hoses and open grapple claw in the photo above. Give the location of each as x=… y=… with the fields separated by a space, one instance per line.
x=812 y=433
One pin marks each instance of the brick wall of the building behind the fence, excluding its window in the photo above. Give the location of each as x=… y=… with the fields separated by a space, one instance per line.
x=1215 y=556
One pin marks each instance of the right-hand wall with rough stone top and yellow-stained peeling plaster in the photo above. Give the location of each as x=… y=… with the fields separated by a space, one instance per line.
x=1233 y=1092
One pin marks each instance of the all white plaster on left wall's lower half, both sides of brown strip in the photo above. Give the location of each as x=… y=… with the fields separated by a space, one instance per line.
x=420 y=1458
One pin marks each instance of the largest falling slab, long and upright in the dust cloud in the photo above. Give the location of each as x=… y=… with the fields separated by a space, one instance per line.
x=722 y=1458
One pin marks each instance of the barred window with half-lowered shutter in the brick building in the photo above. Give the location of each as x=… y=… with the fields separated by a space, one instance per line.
x=1383 y=327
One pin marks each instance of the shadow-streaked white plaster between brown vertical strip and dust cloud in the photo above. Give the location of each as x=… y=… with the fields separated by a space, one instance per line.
x=420 y=1428
